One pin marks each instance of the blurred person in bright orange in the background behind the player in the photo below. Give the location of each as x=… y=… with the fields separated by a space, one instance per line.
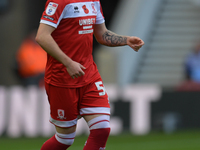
x=30 y=62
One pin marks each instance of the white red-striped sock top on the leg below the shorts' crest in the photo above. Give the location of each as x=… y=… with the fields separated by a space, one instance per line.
x=67 y=139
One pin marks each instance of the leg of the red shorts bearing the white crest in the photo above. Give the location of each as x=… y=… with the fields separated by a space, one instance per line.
x=63 y=106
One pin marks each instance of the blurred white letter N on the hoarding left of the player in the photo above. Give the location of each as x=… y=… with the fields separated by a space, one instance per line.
x=23 y=112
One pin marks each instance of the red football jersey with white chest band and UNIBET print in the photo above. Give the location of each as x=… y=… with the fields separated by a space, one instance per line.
x=73 y=20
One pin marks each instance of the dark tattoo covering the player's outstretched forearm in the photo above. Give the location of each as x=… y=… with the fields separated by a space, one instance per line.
x=113 y=39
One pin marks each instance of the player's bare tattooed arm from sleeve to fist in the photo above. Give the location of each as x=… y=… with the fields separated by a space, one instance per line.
x=108 y=38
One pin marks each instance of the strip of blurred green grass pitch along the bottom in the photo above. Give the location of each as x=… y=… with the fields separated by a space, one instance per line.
x=180 y=140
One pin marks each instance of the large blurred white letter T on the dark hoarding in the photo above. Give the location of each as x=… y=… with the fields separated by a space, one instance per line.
x=140 y=97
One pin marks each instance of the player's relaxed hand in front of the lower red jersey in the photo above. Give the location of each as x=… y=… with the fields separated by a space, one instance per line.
x=75 y=69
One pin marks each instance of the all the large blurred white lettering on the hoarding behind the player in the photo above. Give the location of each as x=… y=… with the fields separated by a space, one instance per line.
x=26 y=111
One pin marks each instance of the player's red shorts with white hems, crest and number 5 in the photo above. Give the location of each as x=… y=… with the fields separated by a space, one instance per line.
x=67 y=103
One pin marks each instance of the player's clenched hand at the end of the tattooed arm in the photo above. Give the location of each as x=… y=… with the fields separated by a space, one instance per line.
x=135 y=43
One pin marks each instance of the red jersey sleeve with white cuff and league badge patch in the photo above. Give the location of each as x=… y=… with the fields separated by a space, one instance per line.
x=53 y=13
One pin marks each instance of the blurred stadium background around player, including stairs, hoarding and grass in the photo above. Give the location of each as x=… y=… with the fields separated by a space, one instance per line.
x=148 y=112
